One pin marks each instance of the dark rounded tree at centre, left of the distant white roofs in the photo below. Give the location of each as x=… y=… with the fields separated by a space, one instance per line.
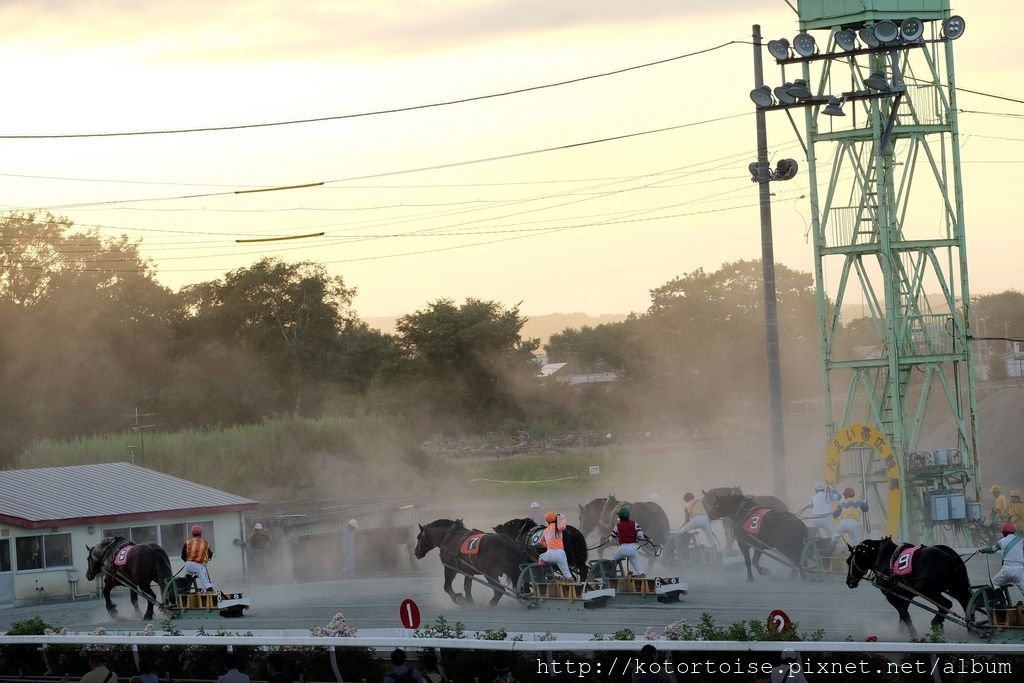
x=463 y=361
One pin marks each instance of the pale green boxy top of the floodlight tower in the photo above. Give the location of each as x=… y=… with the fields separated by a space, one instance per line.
x=858 y=14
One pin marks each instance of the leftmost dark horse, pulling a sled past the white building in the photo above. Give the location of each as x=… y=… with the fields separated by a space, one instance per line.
x=143 y=565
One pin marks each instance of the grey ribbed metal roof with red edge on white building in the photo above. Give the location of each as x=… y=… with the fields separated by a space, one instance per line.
x=107 y=492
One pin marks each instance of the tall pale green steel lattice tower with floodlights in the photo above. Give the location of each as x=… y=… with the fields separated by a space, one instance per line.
x=887 y=216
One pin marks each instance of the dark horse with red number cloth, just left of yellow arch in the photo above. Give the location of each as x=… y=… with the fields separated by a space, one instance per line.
x=778 y=530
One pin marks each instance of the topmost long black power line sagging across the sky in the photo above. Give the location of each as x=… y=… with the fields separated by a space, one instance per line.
x=170 y=132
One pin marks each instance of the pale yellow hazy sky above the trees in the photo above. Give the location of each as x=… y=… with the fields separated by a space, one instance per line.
x=494 y=199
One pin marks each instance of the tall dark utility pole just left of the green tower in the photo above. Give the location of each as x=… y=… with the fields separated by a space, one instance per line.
x=769 y=270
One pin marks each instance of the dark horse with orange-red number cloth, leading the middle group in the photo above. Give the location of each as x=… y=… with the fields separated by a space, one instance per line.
x=492 y=556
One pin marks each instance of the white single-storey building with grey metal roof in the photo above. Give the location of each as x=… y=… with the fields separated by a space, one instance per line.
x=50 y=516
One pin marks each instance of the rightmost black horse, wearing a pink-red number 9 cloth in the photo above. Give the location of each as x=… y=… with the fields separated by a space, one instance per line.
x=934 y=571
